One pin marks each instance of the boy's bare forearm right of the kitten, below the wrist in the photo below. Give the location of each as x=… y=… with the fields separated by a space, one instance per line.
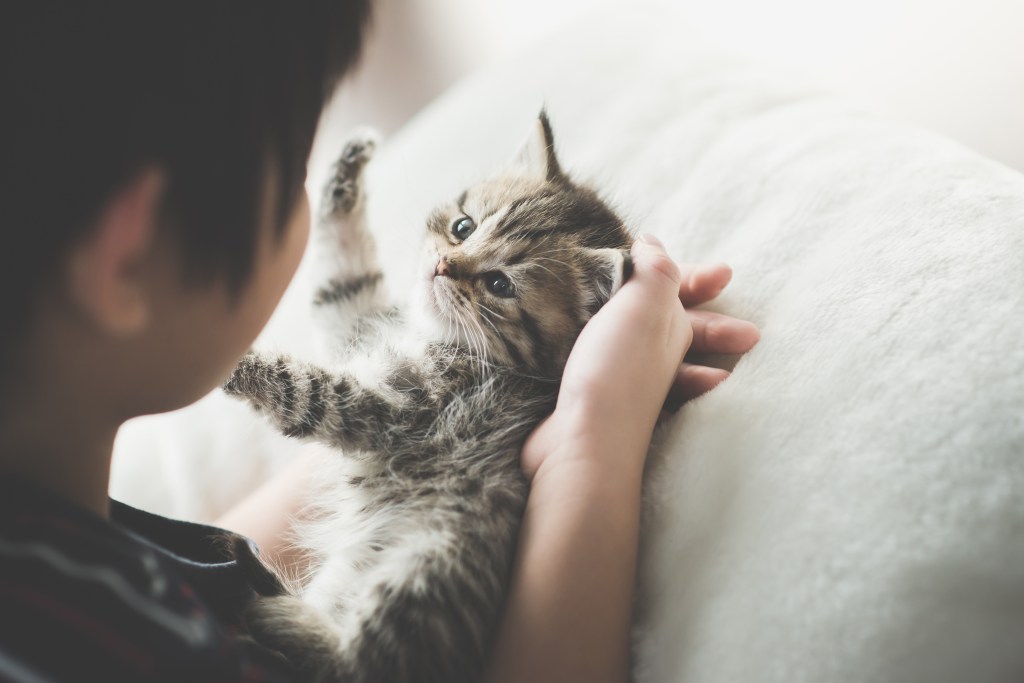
x=568 y=615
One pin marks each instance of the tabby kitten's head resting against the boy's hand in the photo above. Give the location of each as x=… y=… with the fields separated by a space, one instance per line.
x=516 y=267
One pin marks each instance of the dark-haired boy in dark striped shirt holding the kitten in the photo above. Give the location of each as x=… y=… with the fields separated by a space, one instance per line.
x=154 y=214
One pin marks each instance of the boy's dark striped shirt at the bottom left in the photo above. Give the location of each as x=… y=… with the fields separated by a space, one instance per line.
x=136 y=599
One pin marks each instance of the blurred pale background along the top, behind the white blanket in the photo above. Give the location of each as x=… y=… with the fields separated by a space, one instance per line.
x=956 y=67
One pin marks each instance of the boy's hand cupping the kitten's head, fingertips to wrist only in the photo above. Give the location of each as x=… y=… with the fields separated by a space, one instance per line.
x=628 y=361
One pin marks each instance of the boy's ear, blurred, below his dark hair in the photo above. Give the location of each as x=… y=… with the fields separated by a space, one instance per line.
x=105 y=271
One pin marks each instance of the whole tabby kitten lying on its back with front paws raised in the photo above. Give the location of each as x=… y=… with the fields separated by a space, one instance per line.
x=414 y=549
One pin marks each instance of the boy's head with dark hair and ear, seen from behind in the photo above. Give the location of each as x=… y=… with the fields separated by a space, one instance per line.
x=153 y=165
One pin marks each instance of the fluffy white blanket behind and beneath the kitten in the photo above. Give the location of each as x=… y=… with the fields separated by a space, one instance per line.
x=849 y=506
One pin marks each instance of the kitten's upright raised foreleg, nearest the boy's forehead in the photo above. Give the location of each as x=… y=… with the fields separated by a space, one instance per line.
x=352 y=286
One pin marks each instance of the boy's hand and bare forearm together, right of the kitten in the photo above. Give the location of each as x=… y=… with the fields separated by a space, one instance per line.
x=568 y=616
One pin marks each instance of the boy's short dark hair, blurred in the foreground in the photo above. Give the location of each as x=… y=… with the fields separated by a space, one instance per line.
x=218 y=94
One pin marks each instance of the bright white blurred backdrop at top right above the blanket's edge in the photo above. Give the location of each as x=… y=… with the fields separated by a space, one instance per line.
x=954 y=66
